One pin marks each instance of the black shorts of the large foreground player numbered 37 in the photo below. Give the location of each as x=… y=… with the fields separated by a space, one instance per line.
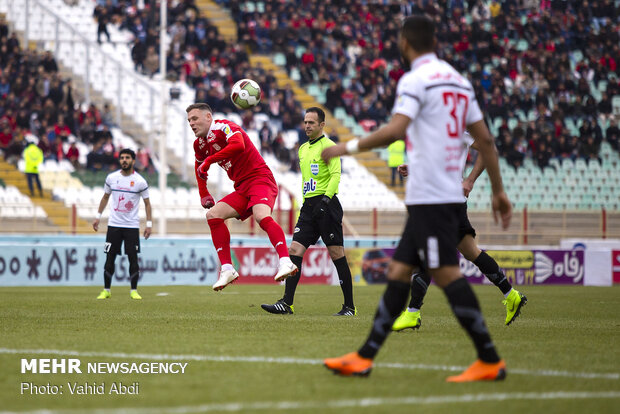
x=430 y=237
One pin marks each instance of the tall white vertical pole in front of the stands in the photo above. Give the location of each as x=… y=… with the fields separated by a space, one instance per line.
x=164 y=118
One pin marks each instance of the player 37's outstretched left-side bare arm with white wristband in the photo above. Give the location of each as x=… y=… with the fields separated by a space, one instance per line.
x=384 y=136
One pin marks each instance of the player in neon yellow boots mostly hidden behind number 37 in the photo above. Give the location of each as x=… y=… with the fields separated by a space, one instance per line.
x=514 y=300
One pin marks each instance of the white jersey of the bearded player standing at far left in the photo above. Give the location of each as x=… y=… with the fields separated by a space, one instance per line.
x=126 y=192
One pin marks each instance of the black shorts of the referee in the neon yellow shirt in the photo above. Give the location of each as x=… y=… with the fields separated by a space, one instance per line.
x=308 y=230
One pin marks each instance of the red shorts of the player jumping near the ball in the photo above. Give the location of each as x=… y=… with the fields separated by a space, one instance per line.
x=252 y=191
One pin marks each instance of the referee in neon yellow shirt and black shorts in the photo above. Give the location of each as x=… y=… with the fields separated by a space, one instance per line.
x=320 y=215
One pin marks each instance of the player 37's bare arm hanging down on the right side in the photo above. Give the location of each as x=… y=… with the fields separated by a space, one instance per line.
x=486 y=147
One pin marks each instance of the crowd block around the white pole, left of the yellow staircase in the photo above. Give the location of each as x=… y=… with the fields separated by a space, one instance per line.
x=199 y=56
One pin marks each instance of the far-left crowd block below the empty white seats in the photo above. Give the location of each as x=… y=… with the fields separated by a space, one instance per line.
x=37 y=105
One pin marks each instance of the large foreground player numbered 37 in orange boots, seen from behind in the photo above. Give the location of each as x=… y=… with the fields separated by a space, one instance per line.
x=433 y=108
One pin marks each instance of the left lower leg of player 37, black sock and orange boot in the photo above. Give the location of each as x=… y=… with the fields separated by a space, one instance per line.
x=391 y=304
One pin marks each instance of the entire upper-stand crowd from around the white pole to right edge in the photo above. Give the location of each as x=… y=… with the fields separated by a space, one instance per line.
x=545 y=72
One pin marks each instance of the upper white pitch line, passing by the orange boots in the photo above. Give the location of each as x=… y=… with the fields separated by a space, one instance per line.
x=300 y=361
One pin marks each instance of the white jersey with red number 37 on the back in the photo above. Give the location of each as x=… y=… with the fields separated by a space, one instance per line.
x=440 y=103
